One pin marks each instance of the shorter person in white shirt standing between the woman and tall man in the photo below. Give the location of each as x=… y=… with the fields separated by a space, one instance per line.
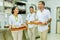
x=30 y=22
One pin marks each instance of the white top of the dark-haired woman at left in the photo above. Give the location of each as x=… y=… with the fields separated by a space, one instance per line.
x=12 y=20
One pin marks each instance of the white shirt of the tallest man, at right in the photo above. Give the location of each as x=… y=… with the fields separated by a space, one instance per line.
x=43 y=16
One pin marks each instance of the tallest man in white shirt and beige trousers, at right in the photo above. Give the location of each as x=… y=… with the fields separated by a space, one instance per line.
x=43 y=18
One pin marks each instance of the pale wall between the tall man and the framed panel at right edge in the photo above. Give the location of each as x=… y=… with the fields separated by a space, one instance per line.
x=53 y=4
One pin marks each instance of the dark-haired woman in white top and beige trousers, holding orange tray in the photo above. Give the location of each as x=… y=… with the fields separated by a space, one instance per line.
x=15 y=21
